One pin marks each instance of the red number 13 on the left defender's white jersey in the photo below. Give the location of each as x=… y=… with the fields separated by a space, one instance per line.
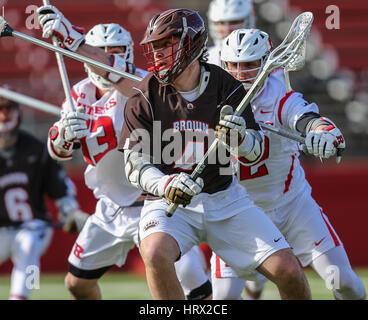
x=95 y=149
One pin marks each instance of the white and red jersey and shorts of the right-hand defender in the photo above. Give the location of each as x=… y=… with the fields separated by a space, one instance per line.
x=277 y=182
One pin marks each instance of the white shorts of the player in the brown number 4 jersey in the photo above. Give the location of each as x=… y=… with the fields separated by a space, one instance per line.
x=238 y=231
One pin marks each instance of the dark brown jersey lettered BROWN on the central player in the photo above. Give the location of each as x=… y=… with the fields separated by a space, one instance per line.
x=154 y=103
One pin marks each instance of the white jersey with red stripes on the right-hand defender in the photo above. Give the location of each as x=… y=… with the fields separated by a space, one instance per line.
x=277 y=177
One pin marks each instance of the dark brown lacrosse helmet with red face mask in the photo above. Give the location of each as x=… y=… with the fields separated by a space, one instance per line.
x=182 y=25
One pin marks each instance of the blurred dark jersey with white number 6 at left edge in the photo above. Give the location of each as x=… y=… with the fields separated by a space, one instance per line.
x=25 y=178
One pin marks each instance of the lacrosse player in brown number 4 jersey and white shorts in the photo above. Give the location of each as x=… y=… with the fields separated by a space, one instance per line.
x=186 y=97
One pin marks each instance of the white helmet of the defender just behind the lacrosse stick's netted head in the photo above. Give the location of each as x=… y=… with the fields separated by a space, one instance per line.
x=245 y=45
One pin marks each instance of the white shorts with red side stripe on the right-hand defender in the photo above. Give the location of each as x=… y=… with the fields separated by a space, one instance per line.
x=305 y=227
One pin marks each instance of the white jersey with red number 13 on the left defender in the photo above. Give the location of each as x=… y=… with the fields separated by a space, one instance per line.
x=105 y=171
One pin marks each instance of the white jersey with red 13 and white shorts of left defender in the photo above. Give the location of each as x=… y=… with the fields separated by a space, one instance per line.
x=113 y=221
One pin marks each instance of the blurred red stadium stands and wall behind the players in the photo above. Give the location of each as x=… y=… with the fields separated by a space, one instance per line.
x=339 y=189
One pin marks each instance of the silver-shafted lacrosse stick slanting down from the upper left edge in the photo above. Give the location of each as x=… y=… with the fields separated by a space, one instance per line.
x=7 y=31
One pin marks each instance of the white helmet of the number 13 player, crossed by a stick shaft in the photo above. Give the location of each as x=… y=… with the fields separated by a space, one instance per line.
x=109 y=35
